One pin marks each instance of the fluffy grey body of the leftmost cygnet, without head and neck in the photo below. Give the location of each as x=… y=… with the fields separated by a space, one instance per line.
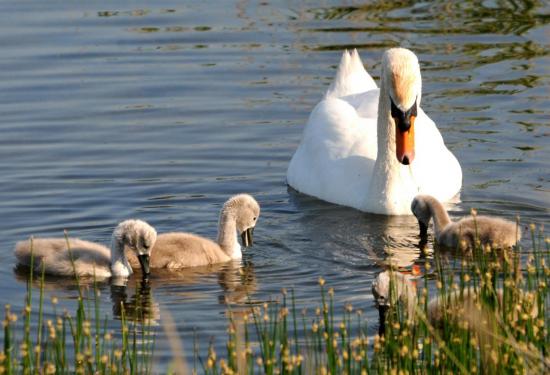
x=89 y=258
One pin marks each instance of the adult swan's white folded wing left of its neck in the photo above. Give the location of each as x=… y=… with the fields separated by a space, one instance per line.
x=335 y=158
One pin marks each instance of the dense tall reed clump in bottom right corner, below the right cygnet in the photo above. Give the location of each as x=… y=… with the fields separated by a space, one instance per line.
x=488 y=316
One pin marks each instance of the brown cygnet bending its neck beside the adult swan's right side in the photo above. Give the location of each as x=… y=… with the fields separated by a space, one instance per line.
x=496 y=232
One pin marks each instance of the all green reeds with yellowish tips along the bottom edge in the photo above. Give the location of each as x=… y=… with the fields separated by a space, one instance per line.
x=487 y=315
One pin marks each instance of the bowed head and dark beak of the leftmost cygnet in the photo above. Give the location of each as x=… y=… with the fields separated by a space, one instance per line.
x=139 y=237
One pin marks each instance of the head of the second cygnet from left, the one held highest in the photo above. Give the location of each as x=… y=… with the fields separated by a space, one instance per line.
x=246 y=211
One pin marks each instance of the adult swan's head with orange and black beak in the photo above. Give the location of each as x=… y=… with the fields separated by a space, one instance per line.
x=402 y=80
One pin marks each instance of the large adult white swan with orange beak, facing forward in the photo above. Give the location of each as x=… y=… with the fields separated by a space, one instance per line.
x=374 y=149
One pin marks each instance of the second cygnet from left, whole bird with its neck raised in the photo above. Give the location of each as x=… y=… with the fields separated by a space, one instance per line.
x=181 y=250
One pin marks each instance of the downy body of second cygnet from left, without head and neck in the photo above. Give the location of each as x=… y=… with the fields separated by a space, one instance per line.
x=181 y=250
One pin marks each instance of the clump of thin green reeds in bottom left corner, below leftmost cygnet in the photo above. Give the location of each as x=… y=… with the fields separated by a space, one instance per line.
x=73 y=344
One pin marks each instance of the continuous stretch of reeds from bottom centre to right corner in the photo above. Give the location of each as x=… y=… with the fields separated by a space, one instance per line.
x=488 y=315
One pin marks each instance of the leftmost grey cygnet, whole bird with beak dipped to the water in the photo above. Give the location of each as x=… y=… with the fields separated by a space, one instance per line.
x=90 y=258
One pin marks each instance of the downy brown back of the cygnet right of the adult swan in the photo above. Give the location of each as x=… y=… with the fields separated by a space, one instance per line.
x=493 y=231
